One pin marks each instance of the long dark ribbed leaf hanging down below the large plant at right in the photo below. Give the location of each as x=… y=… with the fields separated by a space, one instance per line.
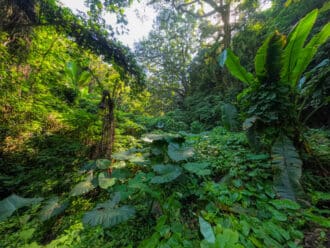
x=287 y=165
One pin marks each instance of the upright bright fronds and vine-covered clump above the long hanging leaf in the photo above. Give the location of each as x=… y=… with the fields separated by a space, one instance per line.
x=274 y=97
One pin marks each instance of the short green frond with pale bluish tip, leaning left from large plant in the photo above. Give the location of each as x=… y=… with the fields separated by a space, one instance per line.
x=228 y=58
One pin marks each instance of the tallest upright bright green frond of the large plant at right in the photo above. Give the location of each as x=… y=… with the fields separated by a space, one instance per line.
x=294 y=47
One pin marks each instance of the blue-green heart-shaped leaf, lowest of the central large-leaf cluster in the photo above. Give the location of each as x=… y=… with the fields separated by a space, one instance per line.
x=167 y=173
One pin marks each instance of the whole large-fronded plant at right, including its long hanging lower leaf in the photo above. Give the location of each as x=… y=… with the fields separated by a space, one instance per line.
x=275 y=97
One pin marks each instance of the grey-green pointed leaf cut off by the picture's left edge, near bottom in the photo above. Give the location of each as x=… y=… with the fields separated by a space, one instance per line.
x=13 y=202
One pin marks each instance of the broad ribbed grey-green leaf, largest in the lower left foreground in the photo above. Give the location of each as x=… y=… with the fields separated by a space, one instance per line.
x=106 y=215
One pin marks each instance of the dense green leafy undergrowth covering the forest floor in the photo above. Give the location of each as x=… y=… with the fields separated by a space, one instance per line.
x=169 y=190
